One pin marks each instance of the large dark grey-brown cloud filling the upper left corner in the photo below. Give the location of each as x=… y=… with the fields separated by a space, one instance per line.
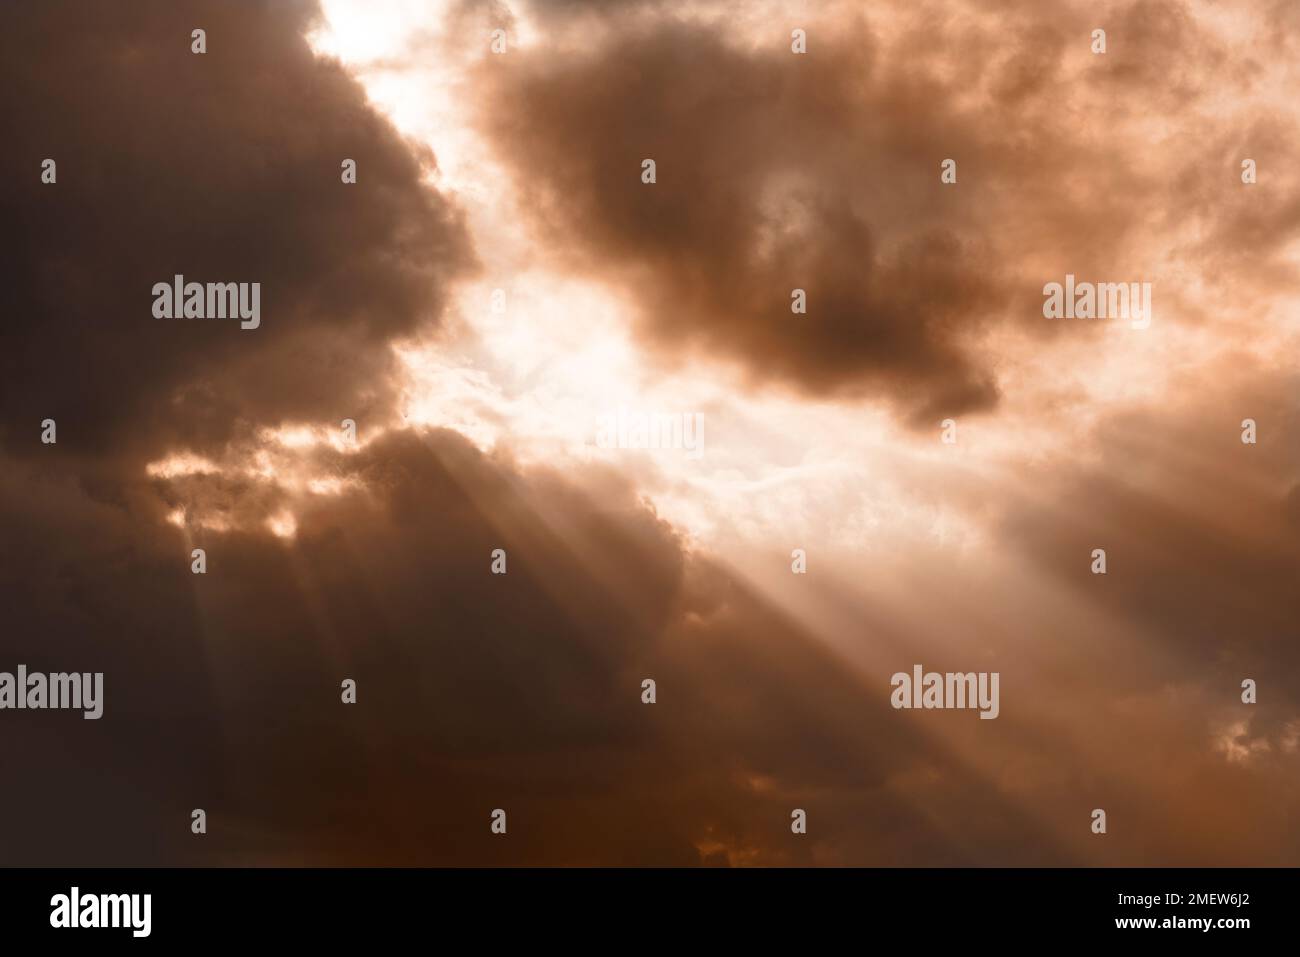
x=220 y=167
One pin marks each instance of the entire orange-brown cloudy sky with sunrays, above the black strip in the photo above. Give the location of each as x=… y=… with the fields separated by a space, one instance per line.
x=501 y=284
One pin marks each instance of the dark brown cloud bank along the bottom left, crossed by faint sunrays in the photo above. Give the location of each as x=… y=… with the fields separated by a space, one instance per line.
x=475 y=691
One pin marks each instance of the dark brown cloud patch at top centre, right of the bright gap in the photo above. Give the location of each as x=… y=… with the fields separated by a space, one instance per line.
x=753 y=154
